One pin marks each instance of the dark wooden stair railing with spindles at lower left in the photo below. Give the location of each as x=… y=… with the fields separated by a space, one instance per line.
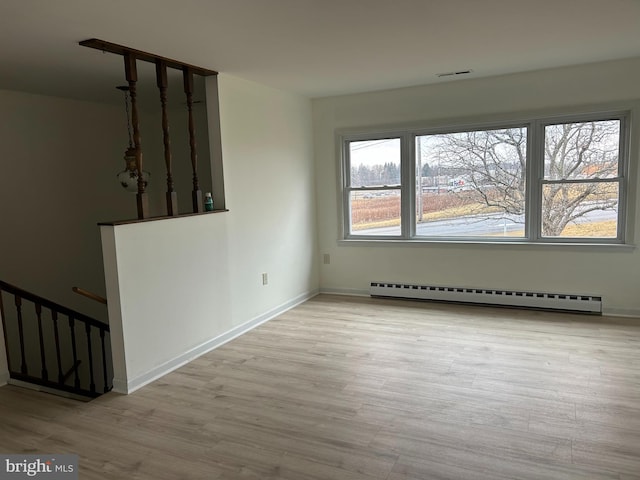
x=36 y=332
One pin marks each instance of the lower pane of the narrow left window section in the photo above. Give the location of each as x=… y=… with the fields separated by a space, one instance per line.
x=375 y=212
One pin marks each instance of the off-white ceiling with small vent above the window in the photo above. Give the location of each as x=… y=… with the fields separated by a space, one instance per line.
x=315 y=48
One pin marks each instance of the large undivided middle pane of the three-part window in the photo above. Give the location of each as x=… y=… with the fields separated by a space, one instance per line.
x=471 y=183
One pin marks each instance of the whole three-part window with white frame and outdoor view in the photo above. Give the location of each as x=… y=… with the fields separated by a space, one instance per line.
x=559 y=180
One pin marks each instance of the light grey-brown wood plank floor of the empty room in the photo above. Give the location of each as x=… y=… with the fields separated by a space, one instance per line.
x=360 y=389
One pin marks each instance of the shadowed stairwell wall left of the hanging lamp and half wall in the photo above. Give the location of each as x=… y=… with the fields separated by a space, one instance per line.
x=58 y=163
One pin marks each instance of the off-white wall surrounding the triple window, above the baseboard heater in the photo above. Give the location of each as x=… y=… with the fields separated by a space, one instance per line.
x=612 y=272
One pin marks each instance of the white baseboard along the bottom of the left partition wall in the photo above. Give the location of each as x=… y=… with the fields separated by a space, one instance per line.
x=130 y=386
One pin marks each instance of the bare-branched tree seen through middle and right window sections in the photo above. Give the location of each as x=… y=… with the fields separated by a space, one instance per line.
x=580 y=163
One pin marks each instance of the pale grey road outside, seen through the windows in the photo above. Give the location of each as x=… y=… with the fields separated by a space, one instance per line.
x=478 y=226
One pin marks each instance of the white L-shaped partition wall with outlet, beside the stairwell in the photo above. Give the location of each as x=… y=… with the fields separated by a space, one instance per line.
x=179 y=287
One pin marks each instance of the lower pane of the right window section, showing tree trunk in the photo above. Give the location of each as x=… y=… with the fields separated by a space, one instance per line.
x=580 y=210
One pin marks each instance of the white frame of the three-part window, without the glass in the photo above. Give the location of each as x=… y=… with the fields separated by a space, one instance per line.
x=535 y=180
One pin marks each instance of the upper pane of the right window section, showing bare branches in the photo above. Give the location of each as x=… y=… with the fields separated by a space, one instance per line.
x=581 y=150
